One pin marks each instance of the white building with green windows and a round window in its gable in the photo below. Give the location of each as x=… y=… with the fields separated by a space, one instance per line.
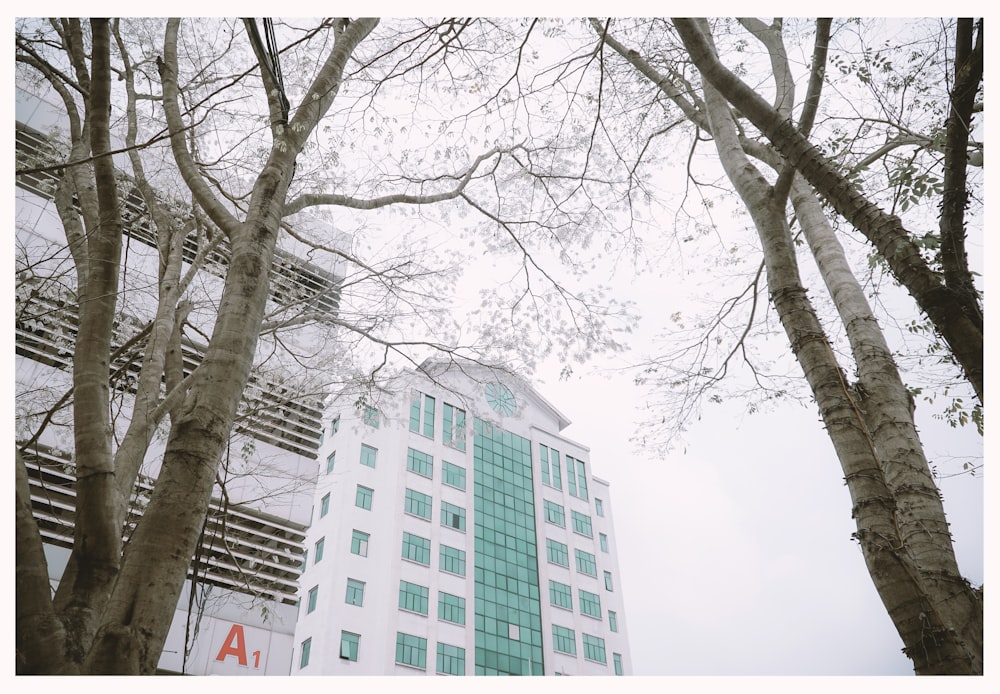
x=455 y=531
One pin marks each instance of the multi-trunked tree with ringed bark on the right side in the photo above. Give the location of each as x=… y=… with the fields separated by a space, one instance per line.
x=901 y=523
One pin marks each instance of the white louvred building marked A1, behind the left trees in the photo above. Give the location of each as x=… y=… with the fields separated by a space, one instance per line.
x=238 y=608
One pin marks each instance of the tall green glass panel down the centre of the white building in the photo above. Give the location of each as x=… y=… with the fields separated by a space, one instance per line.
x=508 y=608
